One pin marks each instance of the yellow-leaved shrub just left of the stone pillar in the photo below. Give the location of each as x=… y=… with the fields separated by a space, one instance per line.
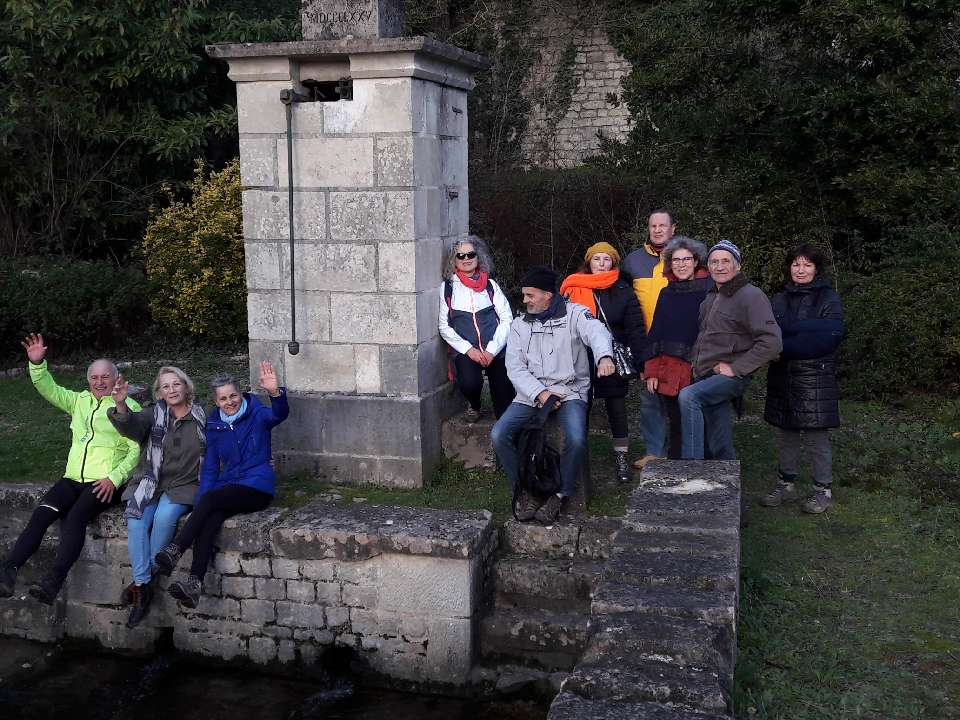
x=193 y=255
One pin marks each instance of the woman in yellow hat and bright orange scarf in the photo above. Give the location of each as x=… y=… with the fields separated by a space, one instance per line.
x=607 y=292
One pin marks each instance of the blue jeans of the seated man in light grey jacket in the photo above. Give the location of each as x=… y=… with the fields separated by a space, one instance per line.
x=573 y=419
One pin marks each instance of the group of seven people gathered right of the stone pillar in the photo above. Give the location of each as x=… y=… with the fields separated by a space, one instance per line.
x=697 y=330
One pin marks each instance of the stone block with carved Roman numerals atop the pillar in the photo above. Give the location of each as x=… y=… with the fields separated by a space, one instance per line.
x=335 y=19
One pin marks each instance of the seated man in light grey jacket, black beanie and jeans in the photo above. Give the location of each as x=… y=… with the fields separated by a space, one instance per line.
x=547 y=355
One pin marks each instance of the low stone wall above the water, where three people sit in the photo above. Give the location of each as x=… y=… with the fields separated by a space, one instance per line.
x=400 y=587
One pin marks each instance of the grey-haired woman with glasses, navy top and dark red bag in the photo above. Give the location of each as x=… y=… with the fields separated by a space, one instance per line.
x=667 y=354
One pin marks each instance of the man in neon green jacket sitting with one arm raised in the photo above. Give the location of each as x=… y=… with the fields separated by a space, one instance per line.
x=99 y=462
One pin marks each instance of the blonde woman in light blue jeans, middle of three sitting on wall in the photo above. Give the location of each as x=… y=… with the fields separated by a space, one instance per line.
x=165 y=484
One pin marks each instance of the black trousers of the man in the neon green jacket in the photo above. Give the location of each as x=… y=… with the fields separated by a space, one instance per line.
x=74 y=505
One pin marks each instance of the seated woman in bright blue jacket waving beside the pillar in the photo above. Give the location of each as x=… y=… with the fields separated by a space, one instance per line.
x=236 y=476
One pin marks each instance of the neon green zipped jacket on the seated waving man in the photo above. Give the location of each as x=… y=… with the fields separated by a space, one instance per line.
x=97 y=450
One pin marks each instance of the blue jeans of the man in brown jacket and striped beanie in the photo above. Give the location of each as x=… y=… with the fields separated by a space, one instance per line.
x=705 y=407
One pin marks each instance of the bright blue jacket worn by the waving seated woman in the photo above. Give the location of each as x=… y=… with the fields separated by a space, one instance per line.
x=240 y=454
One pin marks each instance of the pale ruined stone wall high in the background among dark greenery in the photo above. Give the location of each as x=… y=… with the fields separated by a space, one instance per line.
x=575 y=60
